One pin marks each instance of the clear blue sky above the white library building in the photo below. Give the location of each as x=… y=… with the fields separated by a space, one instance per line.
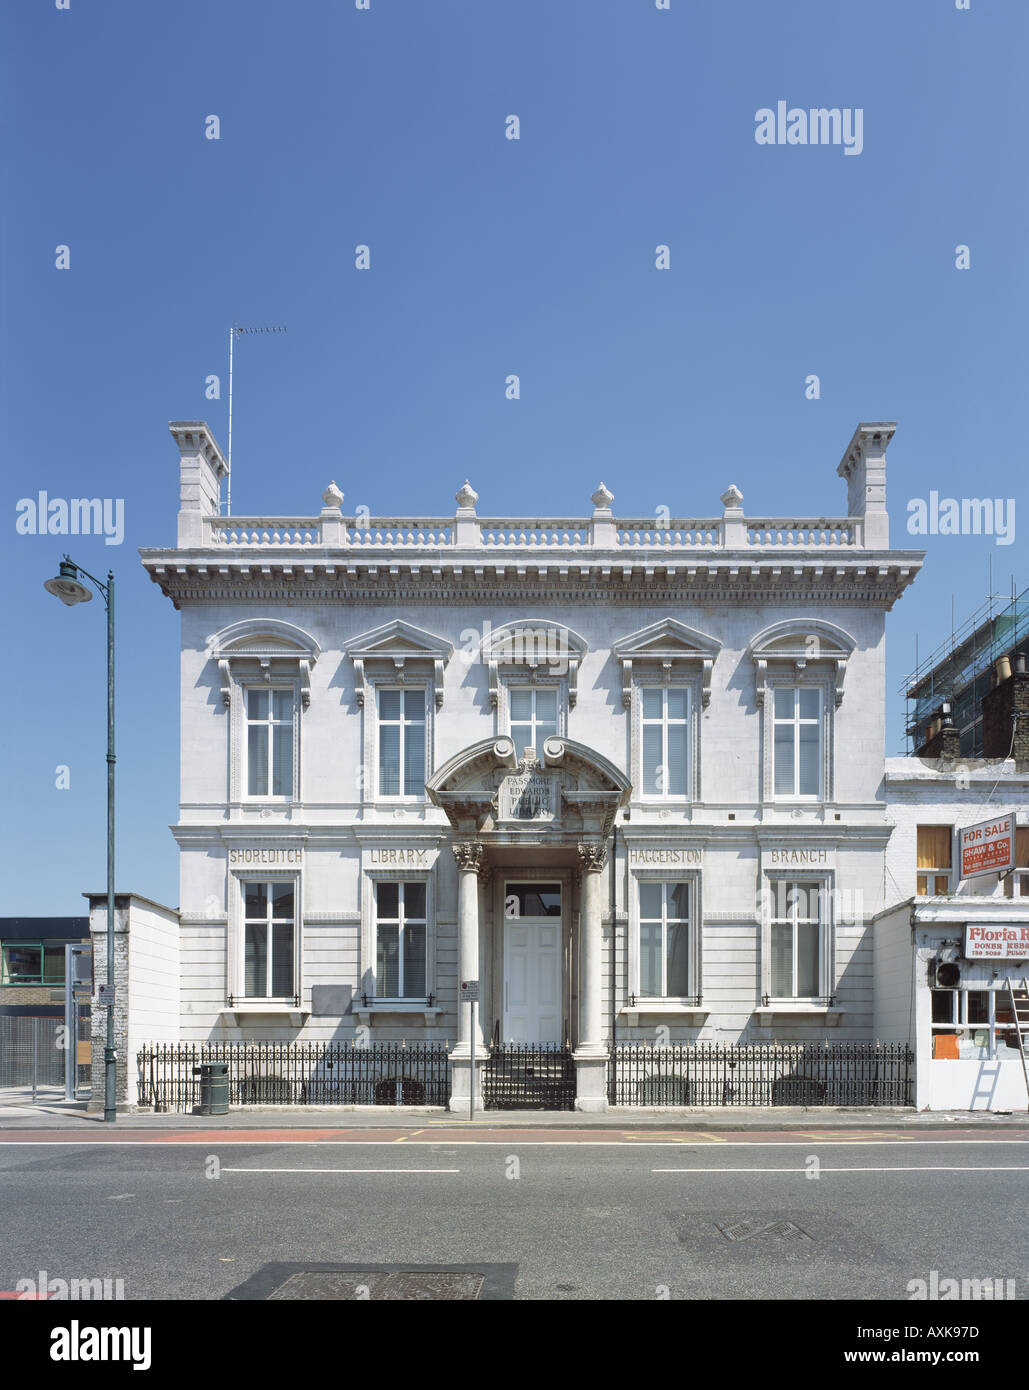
x=489 y=256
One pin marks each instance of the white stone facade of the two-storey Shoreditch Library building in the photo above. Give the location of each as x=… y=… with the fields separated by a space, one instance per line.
x=625 y=775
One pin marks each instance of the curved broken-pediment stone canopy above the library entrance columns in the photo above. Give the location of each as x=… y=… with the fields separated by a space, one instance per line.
x=500 y=797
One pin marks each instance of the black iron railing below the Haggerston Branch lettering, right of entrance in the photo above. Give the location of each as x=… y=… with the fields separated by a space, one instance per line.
x=775 y=1074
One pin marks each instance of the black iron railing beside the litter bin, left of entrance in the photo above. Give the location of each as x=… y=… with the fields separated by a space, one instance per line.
x=298 y=1074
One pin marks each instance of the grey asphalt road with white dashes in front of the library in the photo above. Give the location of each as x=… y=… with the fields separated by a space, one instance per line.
x=679 y=1220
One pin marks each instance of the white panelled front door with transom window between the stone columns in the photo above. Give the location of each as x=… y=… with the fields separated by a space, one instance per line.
x=532 y=967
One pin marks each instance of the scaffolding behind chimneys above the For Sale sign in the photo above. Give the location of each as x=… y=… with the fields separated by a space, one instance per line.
x=960 y=671
